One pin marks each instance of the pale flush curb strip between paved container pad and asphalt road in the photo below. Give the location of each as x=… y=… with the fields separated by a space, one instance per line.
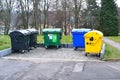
x=39 y=60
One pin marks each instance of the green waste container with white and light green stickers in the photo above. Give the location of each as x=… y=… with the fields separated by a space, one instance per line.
x=52 y=37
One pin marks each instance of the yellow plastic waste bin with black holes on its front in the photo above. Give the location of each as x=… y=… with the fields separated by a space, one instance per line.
x=93 y=42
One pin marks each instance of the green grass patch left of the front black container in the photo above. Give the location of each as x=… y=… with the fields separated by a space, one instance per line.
x=4 y=42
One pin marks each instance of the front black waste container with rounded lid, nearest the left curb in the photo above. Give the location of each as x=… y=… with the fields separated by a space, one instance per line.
x=20 y=40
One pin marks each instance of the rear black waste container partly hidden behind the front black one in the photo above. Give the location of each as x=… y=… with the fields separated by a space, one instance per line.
x=33 y=37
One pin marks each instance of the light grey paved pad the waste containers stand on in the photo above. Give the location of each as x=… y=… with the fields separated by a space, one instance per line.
x=62 y=54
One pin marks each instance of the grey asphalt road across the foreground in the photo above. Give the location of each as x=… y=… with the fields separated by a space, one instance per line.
x=26 y=70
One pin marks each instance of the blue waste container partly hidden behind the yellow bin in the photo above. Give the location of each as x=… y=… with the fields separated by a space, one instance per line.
x=78 y=37
